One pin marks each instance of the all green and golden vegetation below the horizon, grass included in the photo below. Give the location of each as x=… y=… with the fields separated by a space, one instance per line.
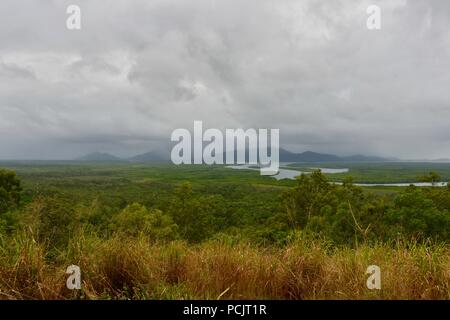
x=166 y=232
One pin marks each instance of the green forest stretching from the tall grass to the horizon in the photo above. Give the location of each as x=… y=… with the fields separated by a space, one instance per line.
x=215 y=202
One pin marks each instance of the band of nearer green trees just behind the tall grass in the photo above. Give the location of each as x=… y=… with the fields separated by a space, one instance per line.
x=341 y=214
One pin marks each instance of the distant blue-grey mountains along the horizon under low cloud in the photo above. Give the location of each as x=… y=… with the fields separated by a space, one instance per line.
x=285 y=156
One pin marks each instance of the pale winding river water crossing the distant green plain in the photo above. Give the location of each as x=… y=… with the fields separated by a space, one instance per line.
x=292 y=174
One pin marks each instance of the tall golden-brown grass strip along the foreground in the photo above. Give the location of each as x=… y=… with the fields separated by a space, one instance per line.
x=136 y=269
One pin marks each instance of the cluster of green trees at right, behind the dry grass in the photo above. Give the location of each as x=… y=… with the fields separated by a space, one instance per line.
x=346 y=215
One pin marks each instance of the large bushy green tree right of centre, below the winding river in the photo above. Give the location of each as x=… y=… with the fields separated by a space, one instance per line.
x=342 y=213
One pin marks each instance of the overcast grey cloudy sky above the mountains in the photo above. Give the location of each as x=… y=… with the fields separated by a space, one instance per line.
x=139 y=69
